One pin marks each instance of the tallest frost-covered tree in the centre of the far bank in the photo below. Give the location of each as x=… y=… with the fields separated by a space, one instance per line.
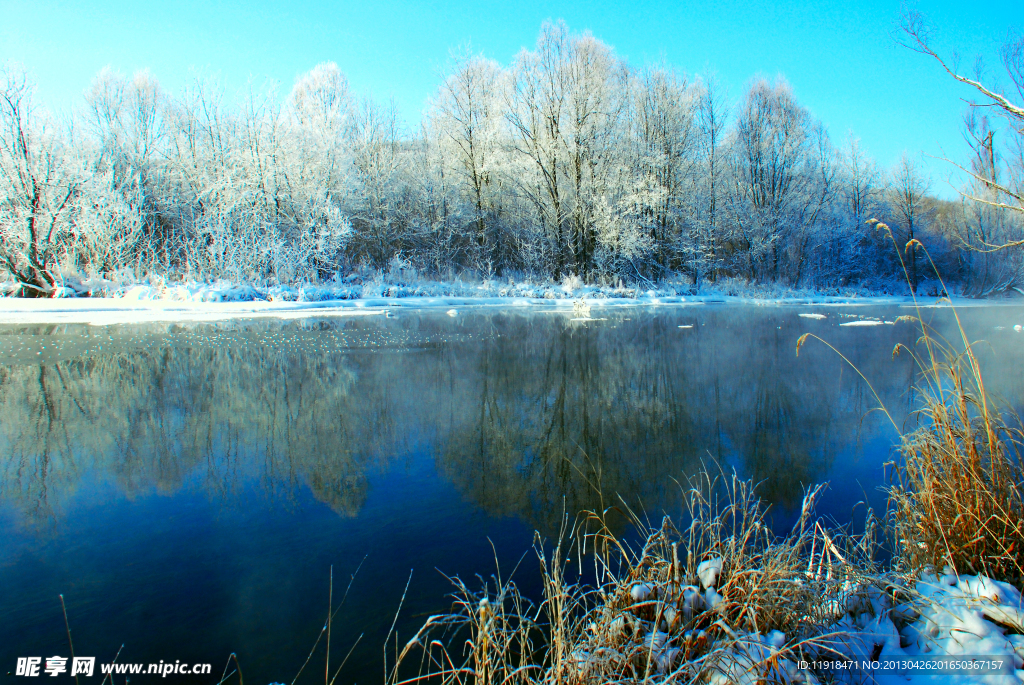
x=565 y=107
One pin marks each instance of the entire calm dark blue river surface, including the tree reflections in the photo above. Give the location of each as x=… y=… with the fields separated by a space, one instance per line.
x=188 y=488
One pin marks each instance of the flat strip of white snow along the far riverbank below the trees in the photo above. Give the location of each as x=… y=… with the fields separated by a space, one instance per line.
x=224 y=301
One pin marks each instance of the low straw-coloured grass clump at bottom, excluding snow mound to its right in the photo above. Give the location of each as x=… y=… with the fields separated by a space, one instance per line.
x=718 y=598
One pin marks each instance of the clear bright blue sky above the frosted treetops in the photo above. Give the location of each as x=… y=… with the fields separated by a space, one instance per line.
x=838 y=55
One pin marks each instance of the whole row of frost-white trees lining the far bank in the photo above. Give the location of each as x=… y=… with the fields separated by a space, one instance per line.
x=569 y=162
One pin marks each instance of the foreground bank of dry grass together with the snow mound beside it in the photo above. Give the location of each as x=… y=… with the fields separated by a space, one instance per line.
x=721 y=601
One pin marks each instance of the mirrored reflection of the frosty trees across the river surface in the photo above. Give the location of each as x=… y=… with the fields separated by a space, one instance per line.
x=529 y=415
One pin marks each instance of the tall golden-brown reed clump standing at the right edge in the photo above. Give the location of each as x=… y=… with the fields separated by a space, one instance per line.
x=958 y=495
